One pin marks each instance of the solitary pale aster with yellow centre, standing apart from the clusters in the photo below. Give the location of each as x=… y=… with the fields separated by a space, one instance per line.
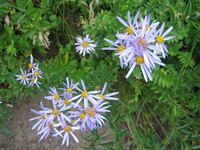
x=85 y=45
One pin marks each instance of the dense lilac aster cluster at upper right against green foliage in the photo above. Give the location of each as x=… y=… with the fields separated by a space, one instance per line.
x=142 y=43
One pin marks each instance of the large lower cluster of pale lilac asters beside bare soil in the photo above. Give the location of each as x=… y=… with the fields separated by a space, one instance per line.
x=73 y=109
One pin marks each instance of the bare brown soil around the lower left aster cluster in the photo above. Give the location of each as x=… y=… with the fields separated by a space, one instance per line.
x=23 y=138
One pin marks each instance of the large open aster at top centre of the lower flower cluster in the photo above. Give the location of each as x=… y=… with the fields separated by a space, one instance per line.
x=86 y=96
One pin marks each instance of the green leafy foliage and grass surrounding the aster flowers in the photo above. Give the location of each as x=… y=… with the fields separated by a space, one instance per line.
x=159 y=115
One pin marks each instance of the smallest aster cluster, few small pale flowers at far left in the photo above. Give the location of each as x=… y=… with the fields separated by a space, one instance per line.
x=30 y=76
